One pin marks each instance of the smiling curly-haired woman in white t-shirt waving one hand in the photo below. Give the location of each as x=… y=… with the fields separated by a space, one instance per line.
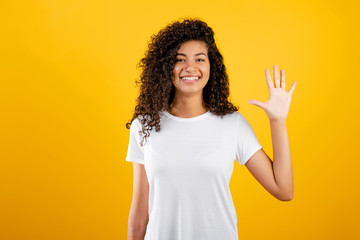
x=185 y=136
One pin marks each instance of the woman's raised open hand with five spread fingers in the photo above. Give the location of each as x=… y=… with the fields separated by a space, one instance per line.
x=277 y=107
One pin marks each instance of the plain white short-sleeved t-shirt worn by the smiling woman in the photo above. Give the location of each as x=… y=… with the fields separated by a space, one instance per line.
x=189 y=163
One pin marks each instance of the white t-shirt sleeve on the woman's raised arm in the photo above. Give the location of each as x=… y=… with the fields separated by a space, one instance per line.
x=247 y=143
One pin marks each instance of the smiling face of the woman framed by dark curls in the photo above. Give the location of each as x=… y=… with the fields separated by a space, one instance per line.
x=192 y=67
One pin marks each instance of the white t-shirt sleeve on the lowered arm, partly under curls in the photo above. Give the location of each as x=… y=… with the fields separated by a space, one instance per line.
x=135 y=152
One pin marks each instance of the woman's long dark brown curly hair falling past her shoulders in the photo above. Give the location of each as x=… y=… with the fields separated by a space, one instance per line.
x=156 y=88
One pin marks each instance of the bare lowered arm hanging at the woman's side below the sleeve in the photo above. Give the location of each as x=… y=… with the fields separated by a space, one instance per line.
x=138 y=216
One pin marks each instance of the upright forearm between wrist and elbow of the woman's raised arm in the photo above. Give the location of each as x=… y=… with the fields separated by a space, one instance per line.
x=282 y=165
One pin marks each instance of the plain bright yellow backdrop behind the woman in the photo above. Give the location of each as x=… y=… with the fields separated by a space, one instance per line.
x=68 y=71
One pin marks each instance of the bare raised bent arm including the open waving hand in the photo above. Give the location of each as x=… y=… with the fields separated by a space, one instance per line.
x=276 y=177
